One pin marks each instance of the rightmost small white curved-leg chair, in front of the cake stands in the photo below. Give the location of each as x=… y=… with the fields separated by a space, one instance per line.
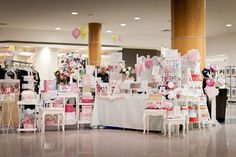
x=176 y=118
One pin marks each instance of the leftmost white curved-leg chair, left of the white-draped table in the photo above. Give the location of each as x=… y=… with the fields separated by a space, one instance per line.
x=50 y=110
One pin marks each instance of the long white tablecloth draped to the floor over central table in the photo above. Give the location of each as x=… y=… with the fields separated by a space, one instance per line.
x=122 y=111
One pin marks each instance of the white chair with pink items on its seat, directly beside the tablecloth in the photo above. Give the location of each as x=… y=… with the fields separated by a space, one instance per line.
x=152 y=112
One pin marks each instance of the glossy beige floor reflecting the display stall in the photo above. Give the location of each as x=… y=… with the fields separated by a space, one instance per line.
x=218 y=142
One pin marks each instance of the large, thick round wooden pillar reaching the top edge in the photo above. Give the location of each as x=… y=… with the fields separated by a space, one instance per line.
x=188 y=22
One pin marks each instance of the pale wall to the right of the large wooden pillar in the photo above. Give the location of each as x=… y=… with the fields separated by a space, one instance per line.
x=223 y=45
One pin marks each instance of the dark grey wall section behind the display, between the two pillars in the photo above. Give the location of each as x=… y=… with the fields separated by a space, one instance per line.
x=129 y=54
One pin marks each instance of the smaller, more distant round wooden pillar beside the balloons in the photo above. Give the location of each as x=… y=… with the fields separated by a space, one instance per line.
x=95 y=43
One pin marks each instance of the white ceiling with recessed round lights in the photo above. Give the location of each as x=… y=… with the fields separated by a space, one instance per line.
x=46 y=15
